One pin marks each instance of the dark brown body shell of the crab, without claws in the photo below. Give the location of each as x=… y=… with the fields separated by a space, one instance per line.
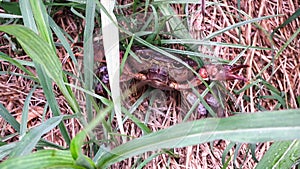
x=160 y=71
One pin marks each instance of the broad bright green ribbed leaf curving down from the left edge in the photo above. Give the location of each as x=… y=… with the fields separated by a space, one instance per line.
x=42 y=53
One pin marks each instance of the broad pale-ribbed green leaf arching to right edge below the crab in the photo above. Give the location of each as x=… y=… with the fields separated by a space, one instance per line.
x=245 y=128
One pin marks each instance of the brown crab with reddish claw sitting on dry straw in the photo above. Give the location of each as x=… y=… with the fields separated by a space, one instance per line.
x=159 y=71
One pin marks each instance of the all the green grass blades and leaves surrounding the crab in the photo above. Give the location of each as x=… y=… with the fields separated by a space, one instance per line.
x=36 y=38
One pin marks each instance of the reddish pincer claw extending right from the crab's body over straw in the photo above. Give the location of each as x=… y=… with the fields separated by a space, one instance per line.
x=224 y=72
